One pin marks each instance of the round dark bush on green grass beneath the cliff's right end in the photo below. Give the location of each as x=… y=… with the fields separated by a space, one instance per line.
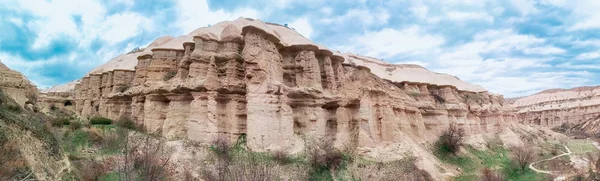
x=451 y=139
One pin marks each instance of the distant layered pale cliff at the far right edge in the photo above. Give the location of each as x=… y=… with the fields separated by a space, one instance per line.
x=552 y=108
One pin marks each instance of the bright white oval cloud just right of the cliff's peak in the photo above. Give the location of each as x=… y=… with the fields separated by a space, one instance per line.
x=390 y=42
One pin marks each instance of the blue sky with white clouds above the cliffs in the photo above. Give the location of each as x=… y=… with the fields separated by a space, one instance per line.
x=511 y=47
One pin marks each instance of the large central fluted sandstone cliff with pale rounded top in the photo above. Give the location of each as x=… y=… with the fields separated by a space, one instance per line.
x=277 y=87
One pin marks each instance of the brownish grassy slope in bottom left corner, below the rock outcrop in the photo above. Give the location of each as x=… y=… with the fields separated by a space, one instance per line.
x=42 y=149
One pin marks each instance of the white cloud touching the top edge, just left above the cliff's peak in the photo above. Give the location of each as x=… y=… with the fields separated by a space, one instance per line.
x=194 y=14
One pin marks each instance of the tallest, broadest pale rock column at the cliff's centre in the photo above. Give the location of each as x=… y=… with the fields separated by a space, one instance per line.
x=270 y=125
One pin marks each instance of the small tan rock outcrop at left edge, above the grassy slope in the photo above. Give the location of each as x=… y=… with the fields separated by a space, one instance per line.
x=17 y=86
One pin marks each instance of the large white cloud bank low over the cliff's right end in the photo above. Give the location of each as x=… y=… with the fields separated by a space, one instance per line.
x=504 y=72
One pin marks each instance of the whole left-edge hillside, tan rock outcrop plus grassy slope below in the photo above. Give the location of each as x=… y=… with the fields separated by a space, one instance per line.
x=27 y=148
